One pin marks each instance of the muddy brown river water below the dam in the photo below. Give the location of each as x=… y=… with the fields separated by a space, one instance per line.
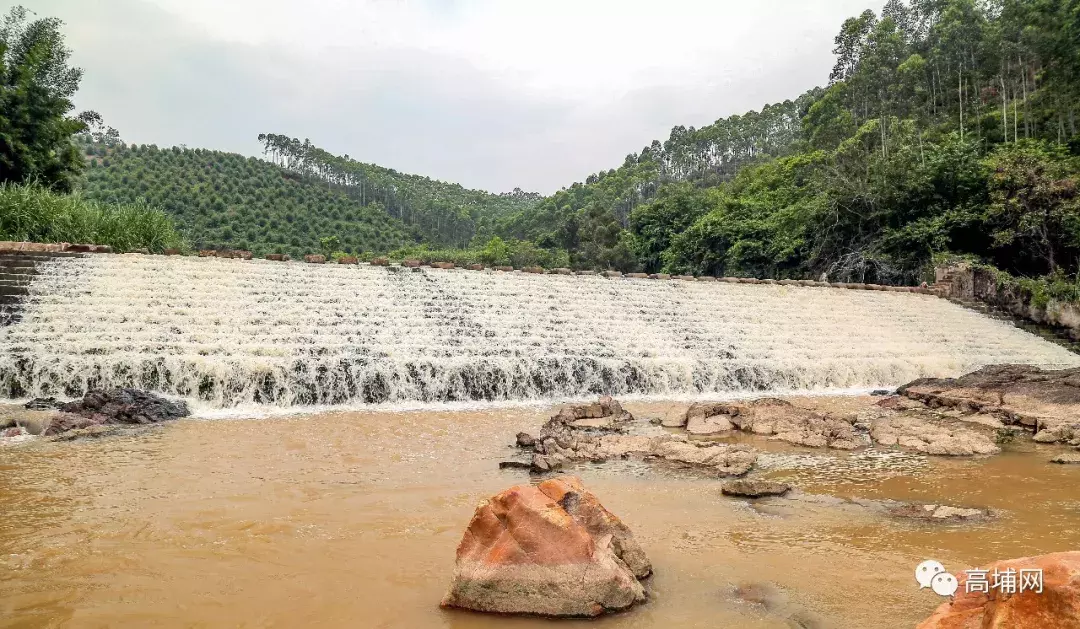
x=352 y=520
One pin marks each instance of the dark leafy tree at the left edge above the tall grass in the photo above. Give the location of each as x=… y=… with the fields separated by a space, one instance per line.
x=36 y=90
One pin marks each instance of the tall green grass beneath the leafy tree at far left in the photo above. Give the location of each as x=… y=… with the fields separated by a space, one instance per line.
x=35 y=215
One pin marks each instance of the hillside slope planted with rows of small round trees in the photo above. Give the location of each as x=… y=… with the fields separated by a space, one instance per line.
x=226 y=200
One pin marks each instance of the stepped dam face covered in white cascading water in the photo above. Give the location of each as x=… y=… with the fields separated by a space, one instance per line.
x=231 y=332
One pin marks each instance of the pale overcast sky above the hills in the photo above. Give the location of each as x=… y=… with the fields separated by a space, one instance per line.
x=493 y=95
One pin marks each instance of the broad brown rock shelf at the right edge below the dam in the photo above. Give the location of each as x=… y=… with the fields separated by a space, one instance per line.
x=1017 y=395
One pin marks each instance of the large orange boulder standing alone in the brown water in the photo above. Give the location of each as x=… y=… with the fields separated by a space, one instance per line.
x=551 y=551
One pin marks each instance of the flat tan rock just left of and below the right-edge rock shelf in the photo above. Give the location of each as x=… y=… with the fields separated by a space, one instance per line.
x=930 y=434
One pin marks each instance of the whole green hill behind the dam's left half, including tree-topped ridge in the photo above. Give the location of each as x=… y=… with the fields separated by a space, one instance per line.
x=291 y=204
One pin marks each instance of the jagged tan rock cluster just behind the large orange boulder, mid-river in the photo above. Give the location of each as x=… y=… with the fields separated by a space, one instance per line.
x=599 y=432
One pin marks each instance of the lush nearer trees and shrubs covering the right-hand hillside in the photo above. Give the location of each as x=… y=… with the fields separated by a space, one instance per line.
x=948 y=126
